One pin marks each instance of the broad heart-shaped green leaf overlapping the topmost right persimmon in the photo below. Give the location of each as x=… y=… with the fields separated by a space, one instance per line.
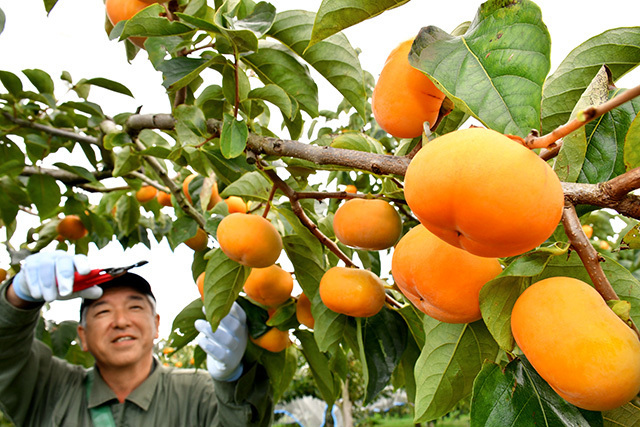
x=495 y=71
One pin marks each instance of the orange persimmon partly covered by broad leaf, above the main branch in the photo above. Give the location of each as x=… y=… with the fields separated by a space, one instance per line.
x=404 y=97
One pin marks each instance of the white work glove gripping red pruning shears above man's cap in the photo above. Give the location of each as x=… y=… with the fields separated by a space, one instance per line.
x=47 y=276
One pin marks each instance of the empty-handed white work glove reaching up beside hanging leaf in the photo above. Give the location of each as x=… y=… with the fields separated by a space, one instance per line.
x=224 y=347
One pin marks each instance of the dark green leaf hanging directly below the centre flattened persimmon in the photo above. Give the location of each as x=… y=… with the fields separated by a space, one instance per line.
x=384 y=339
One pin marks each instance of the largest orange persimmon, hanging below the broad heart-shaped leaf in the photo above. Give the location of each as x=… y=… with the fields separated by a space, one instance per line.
x=483 y=192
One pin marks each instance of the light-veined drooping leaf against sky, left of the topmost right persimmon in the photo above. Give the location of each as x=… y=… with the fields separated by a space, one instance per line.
x=334 y=58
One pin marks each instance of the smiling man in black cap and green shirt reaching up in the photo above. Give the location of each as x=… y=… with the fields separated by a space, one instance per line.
x=127 y=386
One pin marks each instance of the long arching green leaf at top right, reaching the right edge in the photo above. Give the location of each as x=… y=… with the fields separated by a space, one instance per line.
x=618 y=49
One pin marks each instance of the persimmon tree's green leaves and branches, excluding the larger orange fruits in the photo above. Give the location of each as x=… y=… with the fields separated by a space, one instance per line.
x=494 y=69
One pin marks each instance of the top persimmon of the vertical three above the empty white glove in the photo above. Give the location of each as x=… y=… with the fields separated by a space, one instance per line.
x=250 y=240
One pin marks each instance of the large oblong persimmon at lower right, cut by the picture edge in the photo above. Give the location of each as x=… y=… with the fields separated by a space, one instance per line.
x=586 y=353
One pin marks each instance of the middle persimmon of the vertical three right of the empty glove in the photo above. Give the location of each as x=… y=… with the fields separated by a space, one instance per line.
x=269 y=286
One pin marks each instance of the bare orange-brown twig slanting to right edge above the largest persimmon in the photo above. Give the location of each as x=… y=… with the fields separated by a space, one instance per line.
x=583 y=118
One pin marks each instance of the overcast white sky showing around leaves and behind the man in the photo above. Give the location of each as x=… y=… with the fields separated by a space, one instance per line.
x=72 y=38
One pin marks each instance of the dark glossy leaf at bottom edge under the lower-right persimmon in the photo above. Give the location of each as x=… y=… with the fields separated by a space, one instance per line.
x=518 y=396
